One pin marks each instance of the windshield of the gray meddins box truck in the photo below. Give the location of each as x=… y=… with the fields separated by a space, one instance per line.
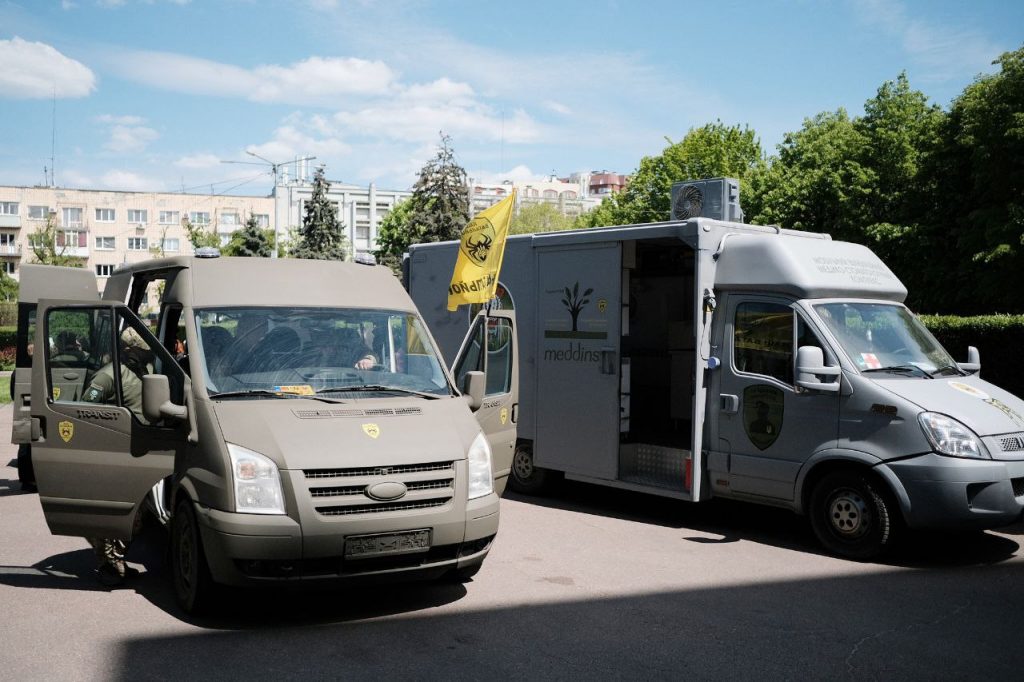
x=884 y=337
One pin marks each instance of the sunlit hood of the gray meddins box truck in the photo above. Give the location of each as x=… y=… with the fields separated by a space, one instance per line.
x=987 y=409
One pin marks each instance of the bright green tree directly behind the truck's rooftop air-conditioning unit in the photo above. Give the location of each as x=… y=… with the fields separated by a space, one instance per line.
x=712 y=151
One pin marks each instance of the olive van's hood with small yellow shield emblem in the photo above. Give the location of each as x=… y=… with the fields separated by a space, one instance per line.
x=300 y=434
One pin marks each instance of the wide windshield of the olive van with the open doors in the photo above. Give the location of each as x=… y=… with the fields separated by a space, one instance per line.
x=272 y=352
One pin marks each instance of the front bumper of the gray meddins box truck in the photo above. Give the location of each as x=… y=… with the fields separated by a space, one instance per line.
x=958 y=493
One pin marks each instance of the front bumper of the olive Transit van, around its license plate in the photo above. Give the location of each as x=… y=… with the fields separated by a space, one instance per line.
x=257 y=549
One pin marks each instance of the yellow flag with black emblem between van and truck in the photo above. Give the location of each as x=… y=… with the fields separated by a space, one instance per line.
x=481 y=251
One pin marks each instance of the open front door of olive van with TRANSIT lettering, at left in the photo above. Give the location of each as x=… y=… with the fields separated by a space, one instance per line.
x=96 y=454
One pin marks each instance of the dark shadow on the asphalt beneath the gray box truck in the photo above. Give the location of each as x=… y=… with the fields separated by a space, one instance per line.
x=734 y=521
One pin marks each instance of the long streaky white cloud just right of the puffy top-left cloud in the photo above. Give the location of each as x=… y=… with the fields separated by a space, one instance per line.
x=316 y=80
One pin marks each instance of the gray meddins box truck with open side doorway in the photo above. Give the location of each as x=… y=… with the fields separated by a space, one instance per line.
x=702 y=359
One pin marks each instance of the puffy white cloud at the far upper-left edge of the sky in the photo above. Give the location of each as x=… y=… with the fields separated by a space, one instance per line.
x=33 y=71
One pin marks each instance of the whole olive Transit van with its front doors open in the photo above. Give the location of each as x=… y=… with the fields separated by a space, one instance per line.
x=294 y=417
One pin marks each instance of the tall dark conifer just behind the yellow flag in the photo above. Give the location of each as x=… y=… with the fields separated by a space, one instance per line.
x=438 y=211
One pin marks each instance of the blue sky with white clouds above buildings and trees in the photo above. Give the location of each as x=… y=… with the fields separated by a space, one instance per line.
x=155 y=95
